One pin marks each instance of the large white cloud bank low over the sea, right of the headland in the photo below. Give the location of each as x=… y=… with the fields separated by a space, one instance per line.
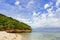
x=50 y=19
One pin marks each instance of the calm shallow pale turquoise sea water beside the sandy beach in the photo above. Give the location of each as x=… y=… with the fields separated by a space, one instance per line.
x=41 y=36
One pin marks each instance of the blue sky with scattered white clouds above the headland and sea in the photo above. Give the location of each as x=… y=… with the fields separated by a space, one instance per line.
x=36 y=13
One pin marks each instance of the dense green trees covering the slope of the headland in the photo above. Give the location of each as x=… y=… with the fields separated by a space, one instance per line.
x=10 y=23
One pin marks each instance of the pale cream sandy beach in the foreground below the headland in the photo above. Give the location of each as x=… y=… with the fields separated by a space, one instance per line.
x=9 y=36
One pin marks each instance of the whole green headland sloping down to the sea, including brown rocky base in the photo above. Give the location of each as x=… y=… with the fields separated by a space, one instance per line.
x=11 y=25
